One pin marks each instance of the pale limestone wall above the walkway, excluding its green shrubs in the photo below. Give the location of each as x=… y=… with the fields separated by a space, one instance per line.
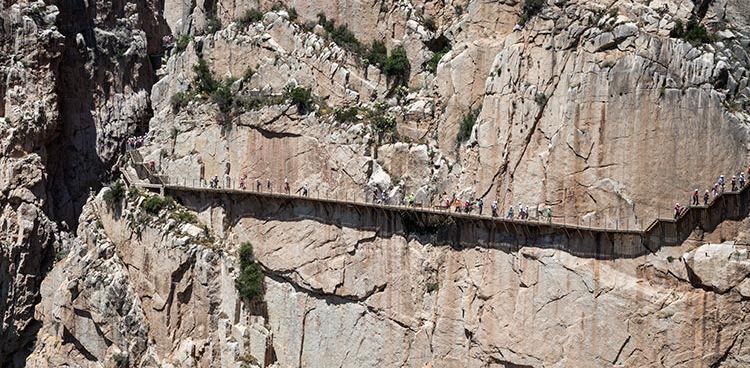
x=589 y=108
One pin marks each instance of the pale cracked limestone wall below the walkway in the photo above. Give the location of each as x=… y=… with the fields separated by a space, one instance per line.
x=337 y=293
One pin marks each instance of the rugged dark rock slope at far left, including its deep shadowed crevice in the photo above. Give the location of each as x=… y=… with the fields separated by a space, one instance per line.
x=76 y=80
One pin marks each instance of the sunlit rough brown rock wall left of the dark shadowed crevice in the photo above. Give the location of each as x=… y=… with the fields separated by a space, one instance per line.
x=26 y=233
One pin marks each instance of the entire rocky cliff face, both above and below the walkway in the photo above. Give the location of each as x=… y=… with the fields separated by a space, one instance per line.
x=604 y=111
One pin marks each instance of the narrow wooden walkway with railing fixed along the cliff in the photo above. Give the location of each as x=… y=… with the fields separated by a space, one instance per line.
x=661 y=232
